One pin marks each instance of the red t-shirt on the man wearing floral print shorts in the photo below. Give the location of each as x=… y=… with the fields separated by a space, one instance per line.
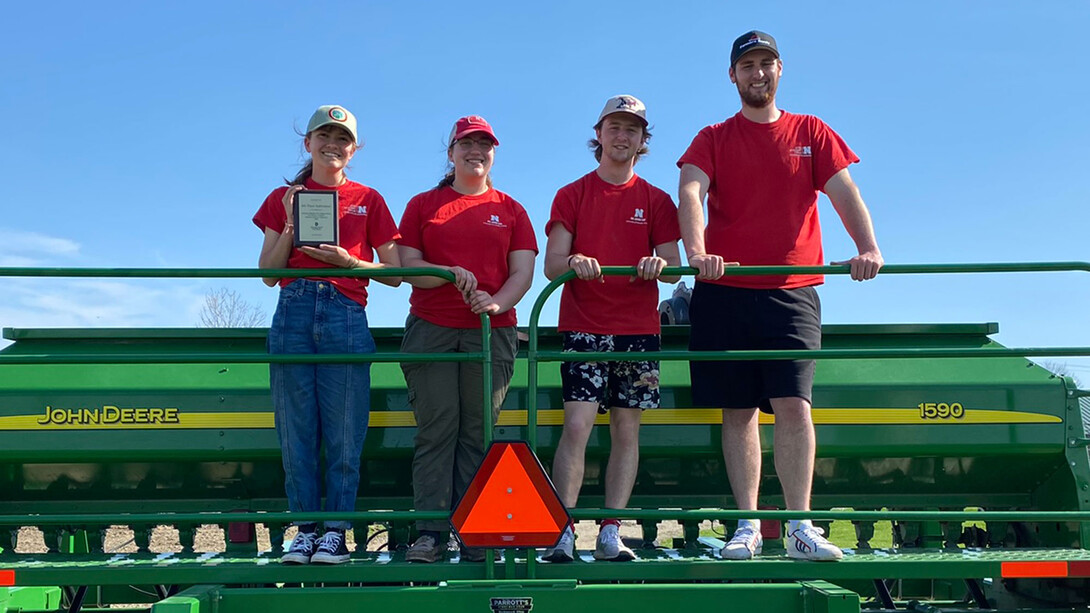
x=617 y=225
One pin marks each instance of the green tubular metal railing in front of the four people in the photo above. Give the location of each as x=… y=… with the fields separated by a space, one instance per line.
x=536 y=357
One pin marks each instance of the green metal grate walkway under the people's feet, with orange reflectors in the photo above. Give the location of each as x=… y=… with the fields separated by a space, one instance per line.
x=652 y=566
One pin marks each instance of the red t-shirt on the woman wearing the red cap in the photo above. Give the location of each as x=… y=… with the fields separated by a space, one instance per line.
x=476 y=233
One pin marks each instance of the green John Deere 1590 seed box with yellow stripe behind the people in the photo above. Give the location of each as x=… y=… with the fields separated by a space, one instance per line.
x=954 y=462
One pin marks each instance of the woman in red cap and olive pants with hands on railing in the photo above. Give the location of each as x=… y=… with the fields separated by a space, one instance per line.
x=485 y=237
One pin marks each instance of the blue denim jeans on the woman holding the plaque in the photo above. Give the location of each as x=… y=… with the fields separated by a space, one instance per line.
x=321 y=404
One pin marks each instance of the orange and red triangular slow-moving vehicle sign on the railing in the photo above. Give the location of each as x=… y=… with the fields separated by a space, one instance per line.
x=511 y=503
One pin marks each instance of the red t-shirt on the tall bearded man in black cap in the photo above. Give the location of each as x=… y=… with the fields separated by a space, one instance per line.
x=762 y=203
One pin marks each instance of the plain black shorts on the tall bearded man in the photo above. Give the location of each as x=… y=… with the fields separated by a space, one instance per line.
x=731 y=318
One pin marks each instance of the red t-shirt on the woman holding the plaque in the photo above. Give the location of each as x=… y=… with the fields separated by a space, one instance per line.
x=366 y=223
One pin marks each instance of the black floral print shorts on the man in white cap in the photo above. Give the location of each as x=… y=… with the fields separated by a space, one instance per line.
x=633 y=386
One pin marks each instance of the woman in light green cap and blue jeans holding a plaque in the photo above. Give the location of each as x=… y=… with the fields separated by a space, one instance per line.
x=323 y=405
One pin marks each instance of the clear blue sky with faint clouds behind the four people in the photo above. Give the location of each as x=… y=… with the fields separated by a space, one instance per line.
x=148 y=134
